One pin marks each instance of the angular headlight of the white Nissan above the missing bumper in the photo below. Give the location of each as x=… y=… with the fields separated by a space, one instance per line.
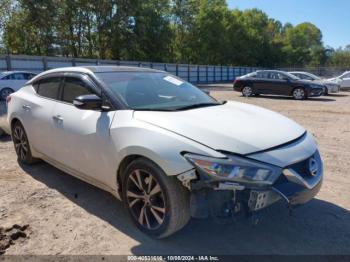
x=237 y=169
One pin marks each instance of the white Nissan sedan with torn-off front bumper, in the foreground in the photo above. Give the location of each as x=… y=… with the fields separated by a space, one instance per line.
x=165 y=148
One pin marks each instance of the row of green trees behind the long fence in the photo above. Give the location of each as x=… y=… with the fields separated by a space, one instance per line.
x=178 y=31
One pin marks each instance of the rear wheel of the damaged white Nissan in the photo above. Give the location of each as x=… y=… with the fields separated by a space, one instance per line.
x=21 y=144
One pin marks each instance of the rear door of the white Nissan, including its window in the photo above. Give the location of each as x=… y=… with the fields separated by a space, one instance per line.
x=37 y=113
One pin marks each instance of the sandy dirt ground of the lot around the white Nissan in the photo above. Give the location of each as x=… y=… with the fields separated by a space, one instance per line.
x=68 y=216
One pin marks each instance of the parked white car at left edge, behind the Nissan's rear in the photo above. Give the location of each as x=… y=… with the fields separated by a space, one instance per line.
x=11 y=81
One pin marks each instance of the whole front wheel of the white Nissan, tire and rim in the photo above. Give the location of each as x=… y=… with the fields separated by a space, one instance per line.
x=170 y=198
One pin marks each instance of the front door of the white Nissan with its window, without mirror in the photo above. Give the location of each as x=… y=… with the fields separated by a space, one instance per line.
x=83 y=137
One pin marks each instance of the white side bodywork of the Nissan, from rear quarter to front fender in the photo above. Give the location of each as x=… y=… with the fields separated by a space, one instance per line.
x=91 y=144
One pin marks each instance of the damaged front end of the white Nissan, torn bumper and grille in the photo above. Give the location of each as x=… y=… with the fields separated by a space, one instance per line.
x=297 y=184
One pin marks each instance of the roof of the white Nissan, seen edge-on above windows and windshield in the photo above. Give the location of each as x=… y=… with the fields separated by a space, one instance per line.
x=95 y=69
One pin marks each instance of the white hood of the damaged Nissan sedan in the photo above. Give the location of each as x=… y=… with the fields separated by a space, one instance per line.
x=234 y=127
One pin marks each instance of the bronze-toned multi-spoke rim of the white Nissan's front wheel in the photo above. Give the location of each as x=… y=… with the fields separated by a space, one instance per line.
x=145 y=199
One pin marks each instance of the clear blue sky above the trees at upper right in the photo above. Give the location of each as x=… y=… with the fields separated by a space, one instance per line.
x=332 y=17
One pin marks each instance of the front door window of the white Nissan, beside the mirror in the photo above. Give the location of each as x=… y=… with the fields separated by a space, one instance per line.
x=74 y=87
